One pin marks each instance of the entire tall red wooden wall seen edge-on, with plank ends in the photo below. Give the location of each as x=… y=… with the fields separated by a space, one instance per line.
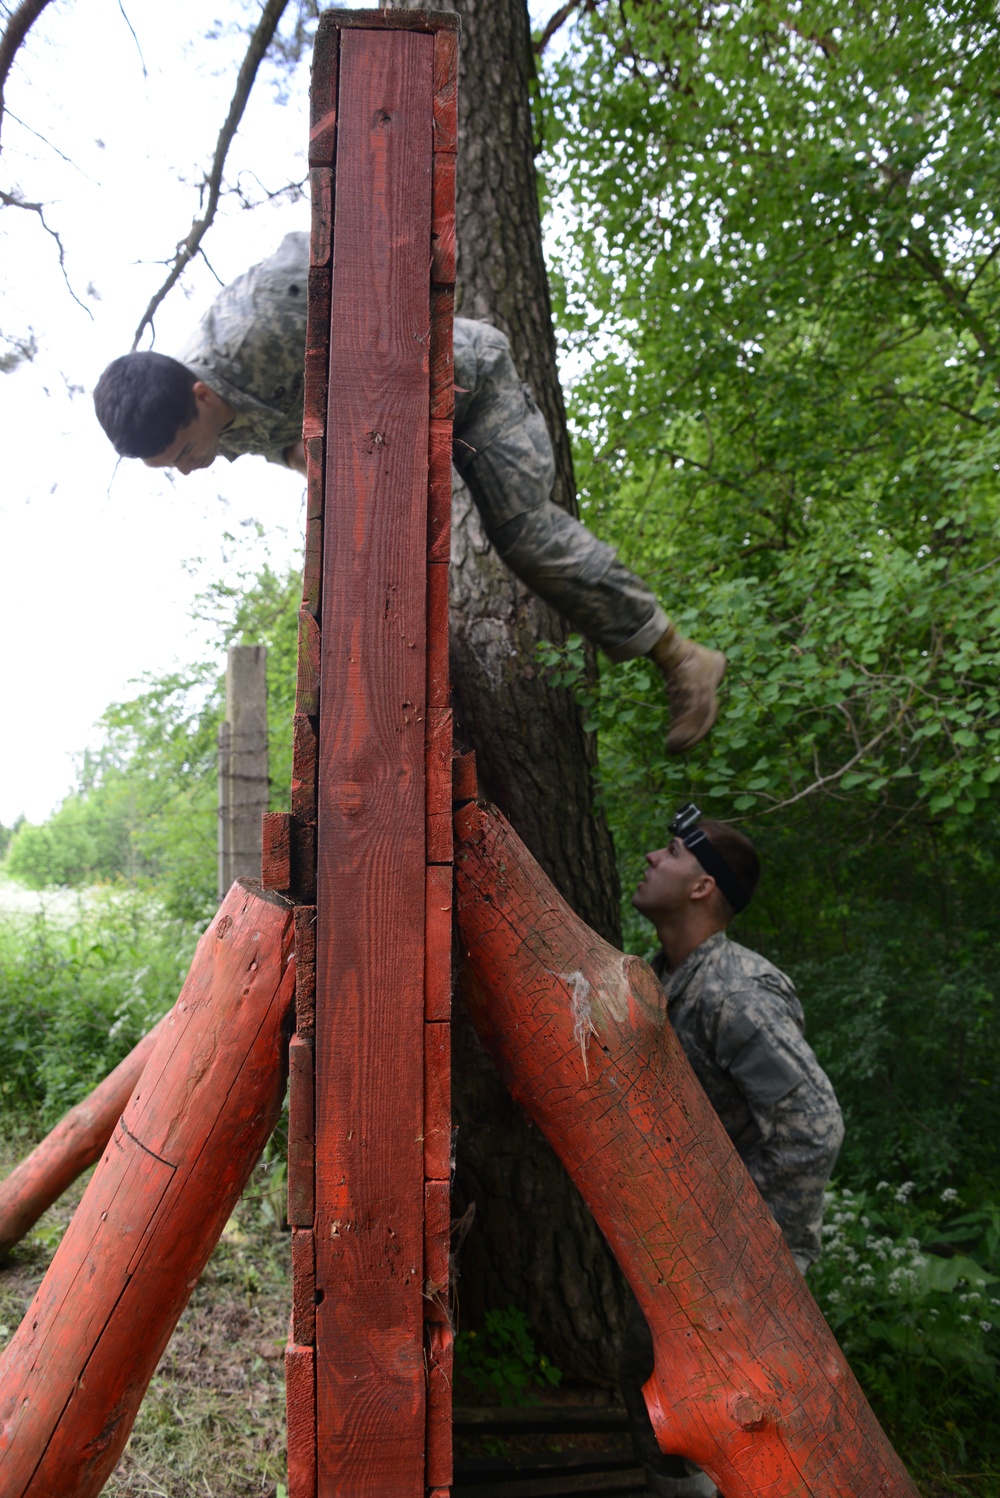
x=369 y=1359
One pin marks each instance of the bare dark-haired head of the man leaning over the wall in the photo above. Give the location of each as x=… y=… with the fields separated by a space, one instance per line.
x=153 y=408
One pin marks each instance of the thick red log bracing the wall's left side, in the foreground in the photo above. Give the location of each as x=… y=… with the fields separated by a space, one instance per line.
x=74 y=1376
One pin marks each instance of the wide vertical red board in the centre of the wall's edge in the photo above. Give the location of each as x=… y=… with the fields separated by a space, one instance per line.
x=372 y=819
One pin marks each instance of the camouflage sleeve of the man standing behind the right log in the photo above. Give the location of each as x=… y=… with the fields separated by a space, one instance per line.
x=796 y=1111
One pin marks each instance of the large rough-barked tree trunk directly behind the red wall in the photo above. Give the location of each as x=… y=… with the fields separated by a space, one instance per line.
x=534 y=1243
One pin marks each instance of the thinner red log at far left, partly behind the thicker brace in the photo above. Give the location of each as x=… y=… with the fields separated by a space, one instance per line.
x=73 y=1147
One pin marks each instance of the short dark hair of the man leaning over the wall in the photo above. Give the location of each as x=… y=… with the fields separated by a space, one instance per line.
x=143 y=401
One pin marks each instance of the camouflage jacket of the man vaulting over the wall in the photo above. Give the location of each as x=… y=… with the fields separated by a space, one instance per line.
x=251 y=350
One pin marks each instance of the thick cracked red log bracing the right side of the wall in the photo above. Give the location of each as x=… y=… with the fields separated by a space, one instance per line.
x=749 y=1380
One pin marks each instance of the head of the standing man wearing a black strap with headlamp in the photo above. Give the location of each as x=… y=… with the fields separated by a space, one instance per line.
x=706 y=874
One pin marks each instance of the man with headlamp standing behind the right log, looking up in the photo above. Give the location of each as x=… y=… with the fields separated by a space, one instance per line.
x=740 y=1025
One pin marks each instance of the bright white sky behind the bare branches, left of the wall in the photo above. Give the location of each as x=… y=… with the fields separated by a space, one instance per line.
x=97 y=583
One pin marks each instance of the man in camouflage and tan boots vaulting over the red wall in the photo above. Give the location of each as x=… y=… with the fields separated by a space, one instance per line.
x=237 y=389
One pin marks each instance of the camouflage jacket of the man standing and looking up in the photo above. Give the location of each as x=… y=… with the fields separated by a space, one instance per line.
x=740 y=1025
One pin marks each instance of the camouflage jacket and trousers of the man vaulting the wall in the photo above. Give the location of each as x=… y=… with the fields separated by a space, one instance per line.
x=249 y=348
